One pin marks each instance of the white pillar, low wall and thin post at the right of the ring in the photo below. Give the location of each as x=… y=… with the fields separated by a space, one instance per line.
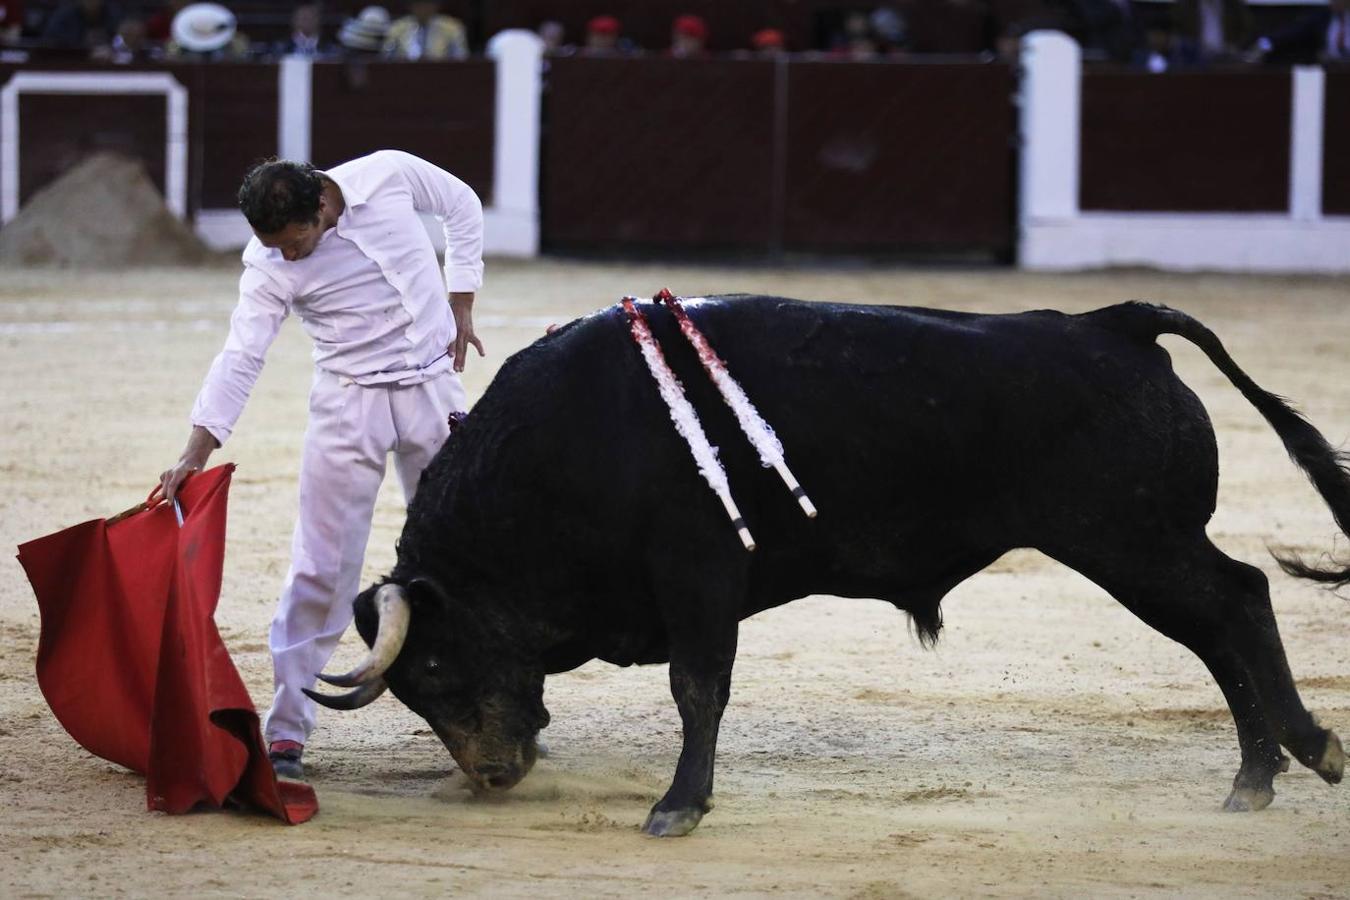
x=1054 y=234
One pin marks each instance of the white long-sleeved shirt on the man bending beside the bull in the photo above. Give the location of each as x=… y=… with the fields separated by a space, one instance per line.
x=371 y=295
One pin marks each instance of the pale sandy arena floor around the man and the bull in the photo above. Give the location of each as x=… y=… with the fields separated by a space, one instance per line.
x=1051 y=746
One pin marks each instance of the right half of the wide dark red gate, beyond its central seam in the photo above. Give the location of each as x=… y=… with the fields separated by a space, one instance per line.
x=900 y=157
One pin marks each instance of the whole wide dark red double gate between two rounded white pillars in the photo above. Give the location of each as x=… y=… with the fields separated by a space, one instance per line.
x=761 y=156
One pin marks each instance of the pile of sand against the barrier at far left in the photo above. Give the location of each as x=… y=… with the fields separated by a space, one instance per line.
x=103 y=214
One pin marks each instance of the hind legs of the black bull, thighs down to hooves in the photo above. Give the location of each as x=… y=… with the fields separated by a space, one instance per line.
x=1221 y=611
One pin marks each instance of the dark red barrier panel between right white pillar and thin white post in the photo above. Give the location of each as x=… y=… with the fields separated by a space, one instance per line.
x=1186 y=142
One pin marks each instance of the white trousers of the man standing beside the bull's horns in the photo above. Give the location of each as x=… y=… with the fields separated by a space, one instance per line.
x=350 y=435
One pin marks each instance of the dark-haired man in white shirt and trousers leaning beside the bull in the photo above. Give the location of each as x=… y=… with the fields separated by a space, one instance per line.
x=348 y=253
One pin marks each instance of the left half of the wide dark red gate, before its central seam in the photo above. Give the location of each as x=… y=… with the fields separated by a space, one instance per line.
x=659 y=153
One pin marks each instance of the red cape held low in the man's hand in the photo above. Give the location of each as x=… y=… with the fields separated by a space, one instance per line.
x=133 y=666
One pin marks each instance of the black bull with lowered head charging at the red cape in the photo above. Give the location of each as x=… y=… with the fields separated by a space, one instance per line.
x=566 y=522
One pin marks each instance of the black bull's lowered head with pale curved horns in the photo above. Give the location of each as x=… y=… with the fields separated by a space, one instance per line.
x=481 y=698
